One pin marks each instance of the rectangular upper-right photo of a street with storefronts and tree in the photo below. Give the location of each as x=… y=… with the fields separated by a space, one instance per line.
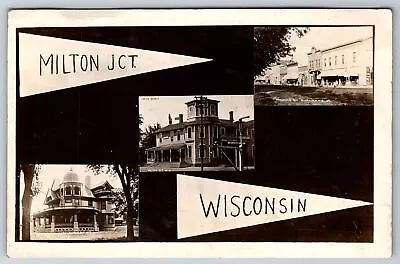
x=313 y=65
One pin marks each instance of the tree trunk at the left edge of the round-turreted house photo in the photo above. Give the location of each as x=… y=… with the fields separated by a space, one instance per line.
x=32 y=188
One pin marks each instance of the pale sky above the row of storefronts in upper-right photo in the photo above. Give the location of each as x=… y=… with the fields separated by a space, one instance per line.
x=325 y=37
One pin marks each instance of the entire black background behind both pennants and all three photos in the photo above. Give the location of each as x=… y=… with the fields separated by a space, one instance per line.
x=321 y=150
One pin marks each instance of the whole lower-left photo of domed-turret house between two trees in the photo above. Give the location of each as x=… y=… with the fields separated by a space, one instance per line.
x=76 y=202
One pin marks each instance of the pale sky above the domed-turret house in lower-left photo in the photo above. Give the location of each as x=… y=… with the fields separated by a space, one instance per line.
x=49 y=172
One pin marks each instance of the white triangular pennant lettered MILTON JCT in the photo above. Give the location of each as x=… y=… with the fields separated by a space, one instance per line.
x=48 y=64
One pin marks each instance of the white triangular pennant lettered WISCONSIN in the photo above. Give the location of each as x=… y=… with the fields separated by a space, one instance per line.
x=206 y=206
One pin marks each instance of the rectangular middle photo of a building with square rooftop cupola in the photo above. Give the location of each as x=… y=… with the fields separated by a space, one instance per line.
x=196 y=133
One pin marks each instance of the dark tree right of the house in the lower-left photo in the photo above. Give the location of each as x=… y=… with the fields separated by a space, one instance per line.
x=128 y=175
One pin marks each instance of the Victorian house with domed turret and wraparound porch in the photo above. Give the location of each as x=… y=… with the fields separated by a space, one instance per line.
x=74 y=205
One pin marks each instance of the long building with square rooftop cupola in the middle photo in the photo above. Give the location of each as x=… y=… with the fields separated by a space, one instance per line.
x=180 y=143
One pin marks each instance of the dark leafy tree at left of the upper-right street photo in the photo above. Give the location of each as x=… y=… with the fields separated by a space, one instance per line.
x=271 y=44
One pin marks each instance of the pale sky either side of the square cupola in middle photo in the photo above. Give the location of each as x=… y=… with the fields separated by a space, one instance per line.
x=156 y=109
